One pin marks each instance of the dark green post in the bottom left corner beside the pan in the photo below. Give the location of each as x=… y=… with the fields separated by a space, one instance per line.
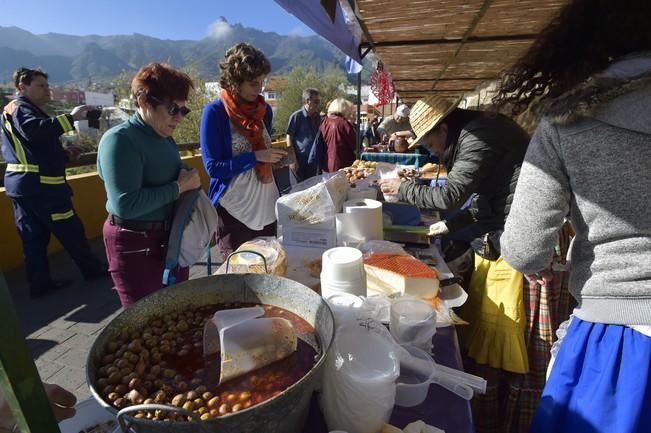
x=19 y=379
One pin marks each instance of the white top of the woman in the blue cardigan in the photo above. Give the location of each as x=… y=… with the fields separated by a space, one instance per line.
x=252 y=202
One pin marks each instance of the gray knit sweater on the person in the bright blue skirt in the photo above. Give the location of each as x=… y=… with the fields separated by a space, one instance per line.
x=591 y=158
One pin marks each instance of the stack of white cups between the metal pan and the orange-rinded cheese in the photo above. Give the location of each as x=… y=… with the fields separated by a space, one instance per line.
x=342 y=271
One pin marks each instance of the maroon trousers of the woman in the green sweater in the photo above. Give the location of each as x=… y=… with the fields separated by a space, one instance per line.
x=136 y=261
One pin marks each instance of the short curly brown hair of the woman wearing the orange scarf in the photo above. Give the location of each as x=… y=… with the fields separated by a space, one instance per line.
x=242 y=62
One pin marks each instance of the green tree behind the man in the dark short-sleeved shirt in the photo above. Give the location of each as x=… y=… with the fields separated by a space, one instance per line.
x=330 y=84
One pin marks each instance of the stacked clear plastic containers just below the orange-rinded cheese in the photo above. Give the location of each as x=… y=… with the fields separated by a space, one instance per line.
x=413 y=322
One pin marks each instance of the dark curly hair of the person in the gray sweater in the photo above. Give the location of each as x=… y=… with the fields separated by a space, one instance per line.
x=583 y=39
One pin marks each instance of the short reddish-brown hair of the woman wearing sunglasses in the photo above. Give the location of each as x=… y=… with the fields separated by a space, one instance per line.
x=162 y=81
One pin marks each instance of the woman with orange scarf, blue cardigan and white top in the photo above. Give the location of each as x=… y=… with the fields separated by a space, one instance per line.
x=236 y=150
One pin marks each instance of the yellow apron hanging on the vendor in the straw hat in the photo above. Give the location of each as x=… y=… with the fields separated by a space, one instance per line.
x=495 y=311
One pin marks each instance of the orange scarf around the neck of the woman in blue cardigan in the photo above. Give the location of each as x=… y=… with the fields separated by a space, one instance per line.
x=247 y=118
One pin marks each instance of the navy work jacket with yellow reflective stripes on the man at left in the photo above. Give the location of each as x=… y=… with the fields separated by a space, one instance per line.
x=31 y=147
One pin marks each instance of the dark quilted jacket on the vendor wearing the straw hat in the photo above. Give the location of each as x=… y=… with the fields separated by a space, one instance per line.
x=485 y=153
